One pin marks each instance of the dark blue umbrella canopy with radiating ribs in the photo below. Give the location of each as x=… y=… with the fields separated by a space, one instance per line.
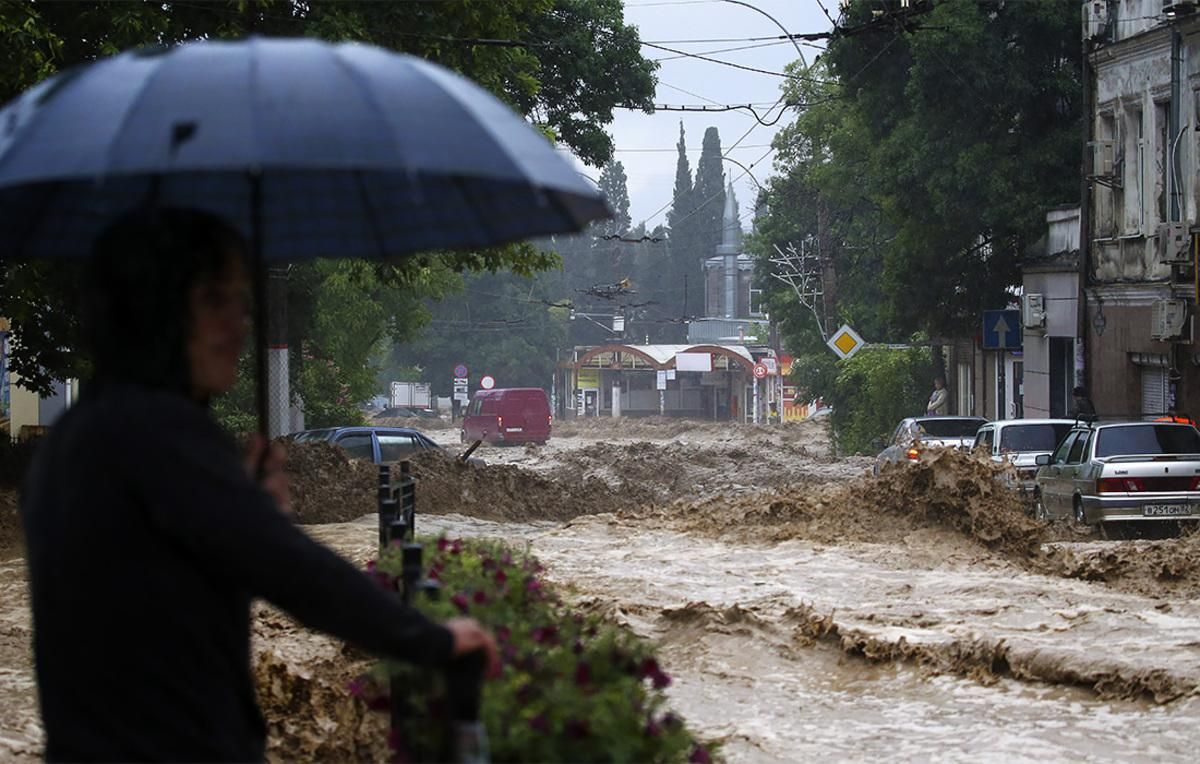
x=313 y=149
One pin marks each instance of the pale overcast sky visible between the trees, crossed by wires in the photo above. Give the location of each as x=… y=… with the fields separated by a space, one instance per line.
x=646 y=145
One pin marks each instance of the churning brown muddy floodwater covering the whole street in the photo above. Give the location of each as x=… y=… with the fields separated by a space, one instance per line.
x=802 y=606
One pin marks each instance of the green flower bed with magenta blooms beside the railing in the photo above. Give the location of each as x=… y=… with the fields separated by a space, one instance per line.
x=573 y=688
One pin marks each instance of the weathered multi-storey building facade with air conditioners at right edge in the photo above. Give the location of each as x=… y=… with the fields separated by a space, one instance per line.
x=1139 y=225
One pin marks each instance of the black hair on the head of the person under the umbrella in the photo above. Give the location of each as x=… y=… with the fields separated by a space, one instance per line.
x=137 y=314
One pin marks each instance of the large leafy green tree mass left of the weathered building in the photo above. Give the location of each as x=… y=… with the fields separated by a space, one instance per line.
x=923 y=159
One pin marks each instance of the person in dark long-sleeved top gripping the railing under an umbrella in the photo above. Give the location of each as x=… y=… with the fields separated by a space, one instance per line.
x=145 y=561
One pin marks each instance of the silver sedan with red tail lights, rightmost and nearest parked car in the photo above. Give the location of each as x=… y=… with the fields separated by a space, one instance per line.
x=1123 y=473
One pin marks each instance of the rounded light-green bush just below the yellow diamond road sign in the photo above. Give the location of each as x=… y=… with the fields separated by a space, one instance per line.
x=874 y=390
